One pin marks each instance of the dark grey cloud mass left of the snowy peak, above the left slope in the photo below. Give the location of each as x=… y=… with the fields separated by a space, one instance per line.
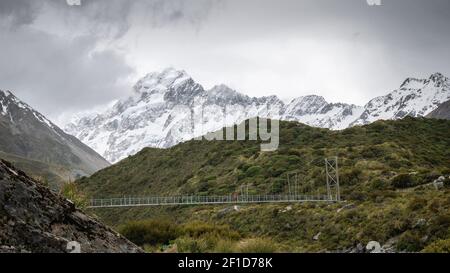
x=55 y=75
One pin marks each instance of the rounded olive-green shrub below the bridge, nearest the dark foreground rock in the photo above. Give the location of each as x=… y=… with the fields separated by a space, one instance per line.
x=151 y=232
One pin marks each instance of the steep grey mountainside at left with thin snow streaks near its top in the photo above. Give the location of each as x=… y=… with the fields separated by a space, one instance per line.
x=36 y=145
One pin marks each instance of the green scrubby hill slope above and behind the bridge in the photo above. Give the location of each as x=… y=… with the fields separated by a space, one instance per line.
x=380 y=150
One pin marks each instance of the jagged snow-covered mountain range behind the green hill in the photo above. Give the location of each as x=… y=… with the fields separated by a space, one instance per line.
x=170 y=107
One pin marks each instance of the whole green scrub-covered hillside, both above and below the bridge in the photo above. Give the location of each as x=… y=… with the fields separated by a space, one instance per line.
x=385 y=170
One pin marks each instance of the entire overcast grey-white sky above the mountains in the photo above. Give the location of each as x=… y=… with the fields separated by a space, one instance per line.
x=64 y=59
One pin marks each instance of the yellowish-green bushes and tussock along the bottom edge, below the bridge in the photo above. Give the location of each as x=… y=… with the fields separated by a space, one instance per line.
x=193 y=237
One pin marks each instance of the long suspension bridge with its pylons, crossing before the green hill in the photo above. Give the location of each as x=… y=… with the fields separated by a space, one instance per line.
x=332 y=195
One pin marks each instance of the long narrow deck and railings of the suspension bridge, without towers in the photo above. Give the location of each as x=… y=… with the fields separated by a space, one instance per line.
x=204 y=200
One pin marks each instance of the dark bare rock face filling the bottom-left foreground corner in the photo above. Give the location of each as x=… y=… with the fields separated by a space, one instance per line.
x=33 y=219
